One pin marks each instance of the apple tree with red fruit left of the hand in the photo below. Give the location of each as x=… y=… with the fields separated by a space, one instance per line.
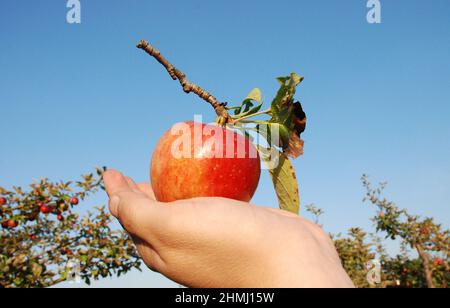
x=44 y=240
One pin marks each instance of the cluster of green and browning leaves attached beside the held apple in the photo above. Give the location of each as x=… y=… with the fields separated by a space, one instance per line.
x=287 y=121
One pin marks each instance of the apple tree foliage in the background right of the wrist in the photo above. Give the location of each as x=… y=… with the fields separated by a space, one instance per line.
x=431 y=267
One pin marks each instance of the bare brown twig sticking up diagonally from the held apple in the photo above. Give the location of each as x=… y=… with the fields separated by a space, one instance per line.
x=188 y=87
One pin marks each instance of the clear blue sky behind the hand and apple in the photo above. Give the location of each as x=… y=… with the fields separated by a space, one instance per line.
x=377 y=96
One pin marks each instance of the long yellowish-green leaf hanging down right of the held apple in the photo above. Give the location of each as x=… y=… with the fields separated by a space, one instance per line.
x=284 y=181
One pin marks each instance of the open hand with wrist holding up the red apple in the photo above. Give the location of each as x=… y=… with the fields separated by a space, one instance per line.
x=222 y=243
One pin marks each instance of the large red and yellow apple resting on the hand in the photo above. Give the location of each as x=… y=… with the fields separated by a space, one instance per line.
x=175 y=178
